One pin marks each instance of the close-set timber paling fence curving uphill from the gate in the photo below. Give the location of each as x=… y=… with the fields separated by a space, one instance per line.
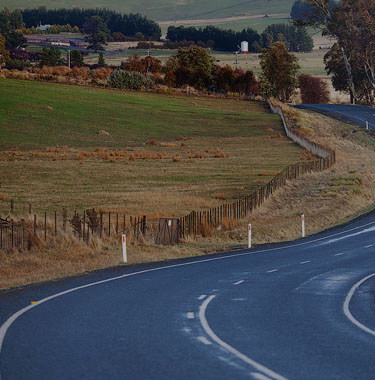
x=197 y=222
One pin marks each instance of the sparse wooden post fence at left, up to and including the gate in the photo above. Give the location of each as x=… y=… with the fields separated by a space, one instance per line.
x=84 y=226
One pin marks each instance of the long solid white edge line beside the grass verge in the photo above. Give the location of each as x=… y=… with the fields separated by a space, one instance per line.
x=6 y=325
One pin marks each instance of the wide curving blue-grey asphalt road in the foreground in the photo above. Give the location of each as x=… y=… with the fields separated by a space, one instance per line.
x=303 y=310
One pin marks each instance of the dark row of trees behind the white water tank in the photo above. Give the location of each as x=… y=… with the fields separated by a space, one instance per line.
x=296 y=39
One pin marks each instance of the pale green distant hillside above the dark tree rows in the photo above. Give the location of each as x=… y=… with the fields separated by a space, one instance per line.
x=168 y=10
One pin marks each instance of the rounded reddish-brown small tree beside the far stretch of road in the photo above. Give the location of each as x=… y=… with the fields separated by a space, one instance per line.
x=313 y=89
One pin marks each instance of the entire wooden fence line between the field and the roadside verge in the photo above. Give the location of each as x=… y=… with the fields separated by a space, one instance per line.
x=166 y=230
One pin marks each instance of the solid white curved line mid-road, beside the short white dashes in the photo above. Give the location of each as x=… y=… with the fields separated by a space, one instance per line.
x=227 y=347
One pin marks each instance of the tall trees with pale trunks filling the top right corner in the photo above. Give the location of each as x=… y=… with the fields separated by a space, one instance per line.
x=351 y=60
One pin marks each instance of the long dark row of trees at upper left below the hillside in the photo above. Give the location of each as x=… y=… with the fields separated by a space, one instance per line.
x=127 y=24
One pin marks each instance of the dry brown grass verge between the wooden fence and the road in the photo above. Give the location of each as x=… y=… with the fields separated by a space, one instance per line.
x=326 y=199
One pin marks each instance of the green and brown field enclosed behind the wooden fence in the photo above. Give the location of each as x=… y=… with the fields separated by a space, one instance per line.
x=139 y=153
